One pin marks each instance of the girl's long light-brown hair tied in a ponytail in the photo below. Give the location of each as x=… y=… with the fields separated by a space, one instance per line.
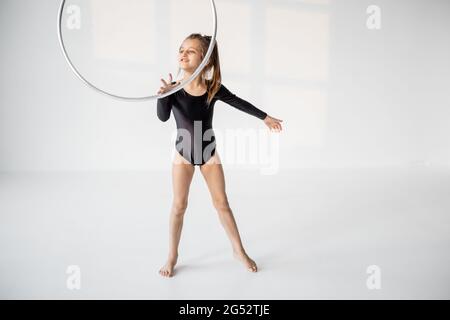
x=212 y=68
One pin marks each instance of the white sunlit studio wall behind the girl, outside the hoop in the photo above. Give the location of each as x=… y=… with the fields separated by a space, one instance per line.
x=349 y=95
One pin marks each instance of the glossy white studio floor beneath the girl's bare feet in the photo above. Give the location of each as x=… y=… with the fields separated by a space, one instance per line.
x=313 y=233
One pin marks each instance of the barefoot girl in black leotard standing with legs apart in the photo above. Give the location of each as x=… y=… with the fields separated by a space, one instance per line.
x=193 y=108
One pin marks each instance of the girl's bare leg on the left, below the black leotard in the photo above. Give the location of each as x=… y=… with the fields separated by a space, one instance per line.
x=182 y=173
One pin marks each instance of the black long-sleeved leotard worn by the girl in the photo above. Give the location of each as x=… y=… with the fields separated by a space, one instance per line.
x=194 y=120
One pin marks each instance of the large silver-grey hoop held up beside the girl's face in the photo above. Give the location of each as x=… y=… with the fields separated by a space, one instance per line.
x=179 y=87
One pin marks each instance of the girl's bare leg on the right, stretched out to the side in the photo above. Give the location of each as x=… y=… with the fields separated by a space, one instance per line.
x=212 y=171
